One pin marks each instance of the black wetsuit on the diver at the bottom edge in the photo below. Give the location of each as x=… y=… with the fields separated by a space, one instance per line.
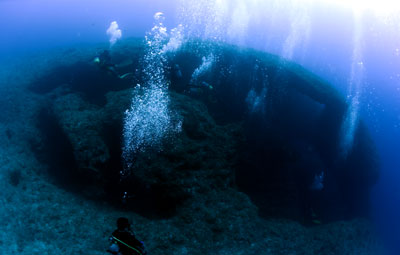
x=127 y=243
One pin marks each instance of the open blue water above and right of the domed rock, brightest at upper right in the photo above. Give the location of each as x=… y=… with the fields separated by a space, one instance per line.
x=357 y=50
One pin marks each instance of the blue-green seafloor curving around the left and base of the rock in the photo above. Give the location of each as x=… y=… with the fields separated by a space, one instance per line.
x=39 y=217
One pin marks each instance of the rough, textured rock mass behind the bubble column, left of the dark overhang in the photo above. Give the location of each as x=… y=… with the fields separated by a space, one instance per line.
x=200 y=159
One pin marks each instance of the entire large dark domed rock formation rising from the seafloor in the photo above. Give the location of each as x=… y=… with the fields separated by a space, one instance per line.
x=251 y=122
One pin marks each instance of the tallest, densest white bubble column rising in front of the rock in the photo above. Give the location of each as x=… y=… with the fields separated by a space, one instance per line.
x=149 y=120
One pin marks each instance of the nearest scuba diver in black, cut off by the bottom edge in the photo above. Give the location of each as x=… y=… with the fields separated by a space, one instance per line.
x=123 y=241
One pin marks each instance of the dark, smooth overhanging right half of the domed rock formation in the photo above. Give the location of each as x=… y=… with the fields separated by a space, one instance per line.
x=292 y=127
